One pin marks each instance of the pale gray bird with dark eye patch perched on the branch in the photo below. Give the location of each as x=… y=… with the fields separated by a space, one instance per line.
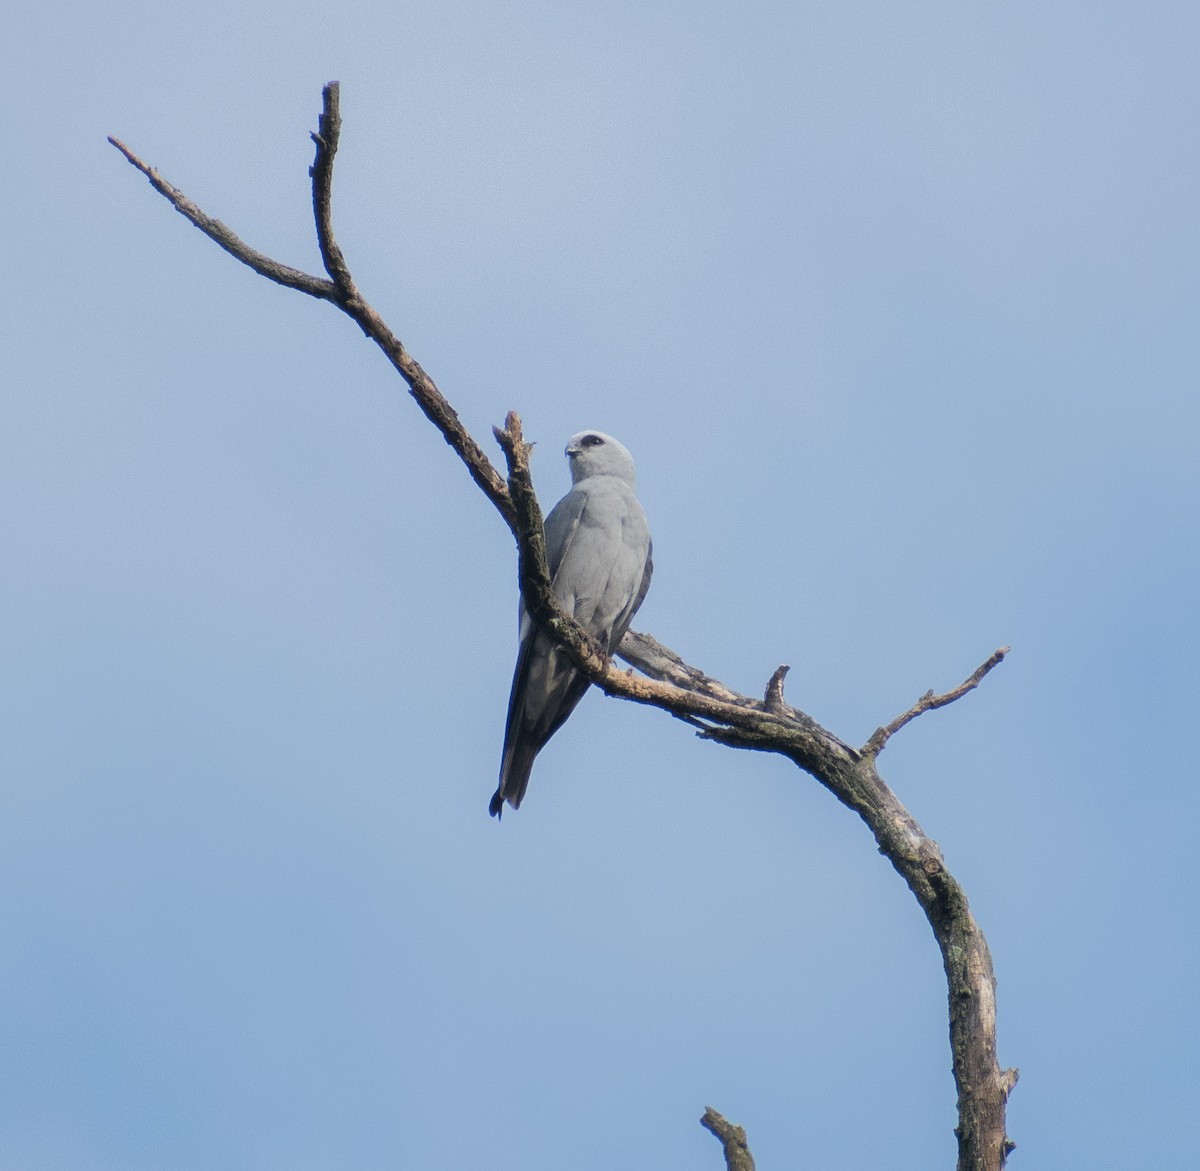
x=599 y=550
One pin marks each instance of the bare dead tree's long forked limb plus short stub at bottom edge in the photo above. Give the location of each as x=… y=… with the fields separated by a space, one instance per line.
x=667 y=682
